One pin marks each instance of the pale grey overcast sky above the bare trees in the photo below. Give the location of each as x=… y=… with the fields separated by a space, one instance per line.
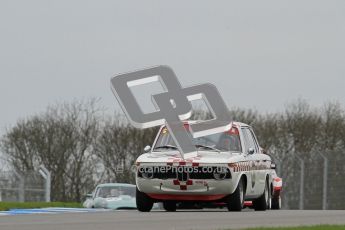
x=260 y=54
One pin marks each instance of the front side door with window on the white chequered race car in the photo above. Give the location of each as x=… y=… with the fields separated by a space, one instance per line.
x=252 y=151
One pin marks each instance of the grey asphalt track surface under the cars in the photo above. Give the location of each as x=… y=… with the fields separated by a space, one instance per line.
x=158 y=220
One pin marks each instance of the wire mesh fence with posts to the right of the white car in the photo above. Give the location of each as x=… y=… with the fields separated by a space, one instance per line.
x=312 y=180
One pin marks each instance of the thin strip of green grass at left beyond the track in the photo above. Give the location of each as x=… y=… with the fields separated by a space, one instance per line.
x=4 y=206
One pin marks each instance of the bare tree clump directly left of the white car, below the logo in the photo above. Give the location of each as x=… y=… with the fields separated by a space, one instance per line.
x=118 y=145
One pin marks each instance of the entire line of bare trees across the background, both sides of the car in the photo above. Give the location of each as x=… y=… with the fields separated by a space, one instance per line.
x=82 y=145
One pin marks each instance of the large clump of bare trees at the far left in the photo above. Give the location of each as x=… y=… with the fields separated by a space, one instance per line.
x=62 y=140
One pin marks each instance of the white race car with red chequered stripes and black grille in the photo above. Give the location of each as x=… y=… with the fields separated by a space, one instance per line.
x=229 y=168
